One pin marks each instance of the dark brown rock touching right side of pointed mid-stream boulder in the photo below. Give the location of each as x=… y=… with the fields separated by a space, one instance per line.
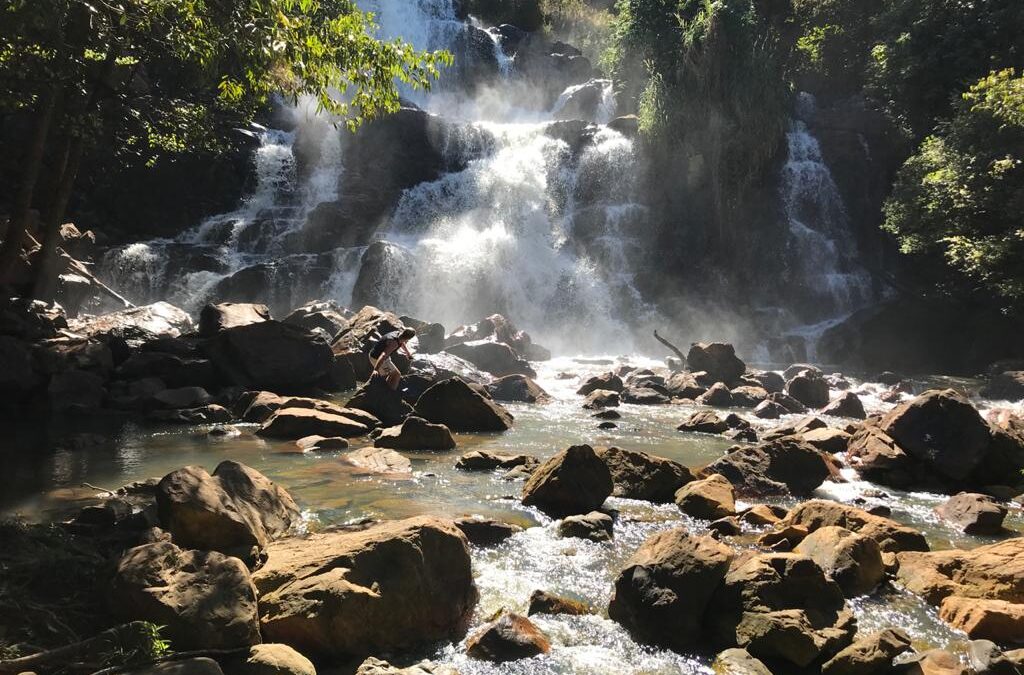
x=644 y=477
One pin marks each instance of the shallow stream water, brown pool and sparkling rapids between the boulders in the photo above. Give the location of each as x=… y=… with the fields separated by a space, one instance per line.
x=44 y=483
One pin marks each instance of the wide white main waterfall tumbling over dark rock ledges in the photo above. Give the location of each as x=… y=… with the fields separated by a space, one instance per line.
x=540 y=223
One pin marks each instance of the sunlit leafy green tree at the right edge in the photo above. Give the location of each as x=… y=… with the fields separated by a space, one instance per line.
x=961 y=197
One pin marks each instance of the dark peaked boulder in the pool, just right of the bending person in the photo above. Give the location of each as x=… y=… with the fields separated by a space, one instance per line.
x=456 y=405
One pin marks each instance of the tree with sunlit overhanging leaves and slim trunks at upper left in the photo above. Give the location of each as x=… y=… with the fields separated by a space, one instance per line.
x=174 y=74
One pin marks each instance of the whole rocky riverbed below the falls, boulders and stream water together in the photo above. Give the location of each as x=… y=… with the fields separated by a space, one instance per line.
x=786 y=521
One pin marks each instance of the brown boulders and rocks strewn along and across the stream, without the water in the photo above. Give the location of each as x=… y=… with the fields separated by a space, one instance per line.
x=222 y=560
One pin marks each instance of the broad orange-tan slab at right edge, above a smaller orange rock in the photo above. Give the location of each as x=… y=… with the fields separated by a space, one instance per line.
x=994 y=572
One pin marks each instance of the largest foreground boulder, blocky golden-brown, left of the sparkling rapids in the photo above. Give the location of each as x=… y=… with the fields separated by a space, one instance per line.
x=391 y=587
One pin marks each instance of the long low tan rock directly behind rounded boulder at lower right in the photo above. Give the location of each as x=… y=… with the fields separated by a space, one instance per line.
x=891 y=536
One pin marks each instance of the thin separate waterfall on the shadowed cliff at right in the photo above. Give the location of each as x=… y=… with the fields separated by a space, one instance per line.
x=832 y=283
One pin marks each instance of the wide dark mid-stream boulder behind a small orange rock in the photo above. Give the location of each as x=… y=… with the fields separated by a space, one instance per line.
x=786 y=467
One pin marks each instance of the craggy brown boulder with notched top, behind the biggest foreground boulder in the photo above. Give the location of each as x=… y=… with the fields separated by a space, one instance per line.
x=233 y=512
